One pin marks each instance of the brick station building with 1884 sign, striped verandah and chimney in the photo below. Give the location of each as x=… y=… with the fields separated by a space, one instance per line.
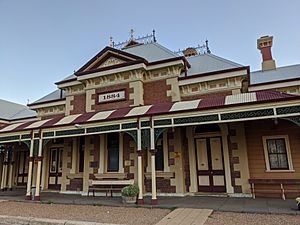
x=175 y=124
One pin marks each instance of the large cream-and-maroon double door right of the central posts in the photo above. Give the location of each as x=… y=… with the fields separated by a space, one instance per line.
x=210 y=166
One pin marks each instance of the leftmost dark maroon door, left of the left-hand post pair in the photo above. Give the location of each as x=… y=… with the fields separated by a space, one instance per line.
x=23 y=159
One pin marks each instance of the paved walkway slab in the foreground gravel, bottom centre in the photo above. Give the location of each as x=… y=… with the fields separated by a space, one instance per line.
x=186 y=216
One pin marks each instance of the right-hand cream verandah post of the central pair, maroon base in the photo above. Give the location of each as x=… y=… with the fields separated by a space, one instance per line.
x=153 y=172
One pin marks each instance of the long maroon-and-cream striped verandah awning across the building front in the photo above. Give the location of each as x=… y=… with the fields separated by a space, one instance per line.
x=151 y=110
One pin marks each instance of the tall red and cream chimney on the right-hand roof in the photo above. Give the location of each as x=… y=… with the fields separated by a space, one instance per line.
x=264 y=44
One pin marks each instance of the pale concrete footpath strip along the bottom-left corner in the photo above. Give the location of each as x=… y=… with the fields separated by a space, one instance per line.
x=18 y=220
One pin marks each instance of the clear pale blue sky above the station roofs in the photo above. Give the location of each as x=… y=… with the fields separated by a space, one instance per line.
x=42 y=41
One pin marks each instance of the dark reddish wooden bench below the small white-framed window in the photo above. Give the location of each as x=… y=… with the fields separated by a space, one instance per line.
x=280 y=183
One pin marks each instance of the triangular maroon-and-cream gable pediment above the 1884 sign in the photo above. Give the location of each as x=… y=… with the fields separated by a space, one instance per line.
x=109 y=58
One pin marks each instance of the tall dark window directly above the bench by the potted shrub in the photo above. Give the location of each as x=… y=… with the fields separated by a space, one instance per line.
x=113 y=152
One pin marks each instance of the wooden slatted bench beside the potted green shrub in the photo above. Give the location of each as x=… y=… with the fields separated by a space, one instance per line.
x=109 y=186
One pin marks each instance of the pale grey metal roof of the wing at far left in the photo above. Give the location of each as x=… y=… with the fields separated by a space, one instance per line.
x=13 y=111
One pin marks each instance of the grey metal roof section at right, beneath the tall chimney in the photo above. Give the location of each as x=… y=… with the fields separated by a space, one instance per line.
x=279 y=74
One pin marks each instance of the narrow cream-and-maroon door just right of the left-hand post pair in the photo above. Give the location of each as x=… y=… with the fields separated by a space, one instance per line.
x=55 y=168
